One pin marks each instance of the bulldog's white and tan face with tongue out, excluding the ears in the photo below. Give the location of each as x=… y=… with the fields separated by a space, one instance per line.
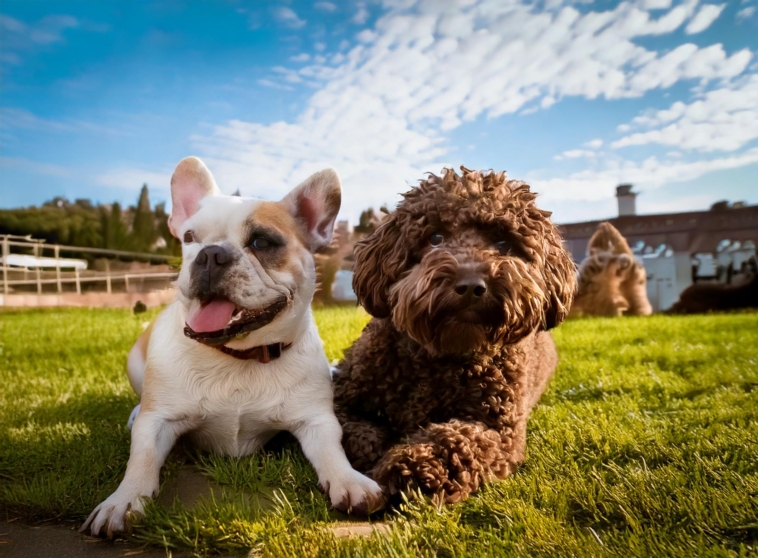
x=254 y=258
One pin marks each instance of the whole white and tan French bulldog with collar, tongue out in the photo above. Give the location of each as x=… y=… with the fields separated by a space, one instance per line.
x=237 y=356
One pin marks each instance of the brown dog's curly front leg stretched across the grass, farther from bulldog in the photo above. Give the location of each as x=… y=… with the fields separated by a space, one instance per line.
x=449 y=461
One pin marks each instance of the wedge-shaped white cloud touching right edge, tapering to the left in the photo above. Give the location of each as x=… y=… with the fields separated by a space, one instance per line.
x=724 y=119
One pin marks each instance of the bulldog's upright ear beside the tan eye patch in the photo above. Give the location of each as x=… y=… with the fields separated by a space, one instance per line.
x=315 y=204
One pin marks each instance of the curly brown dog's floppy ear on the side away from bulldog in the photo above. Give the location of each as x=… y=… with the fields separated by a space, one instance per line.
x=561 y=283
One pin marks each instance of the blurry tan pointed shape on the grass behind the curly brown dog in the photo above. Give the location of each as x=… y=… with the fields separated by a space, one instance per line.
x=611 y=282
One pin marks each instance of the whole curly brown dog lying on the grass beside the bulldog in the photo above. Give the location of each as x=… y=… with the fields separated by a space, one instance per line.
x=463 y=280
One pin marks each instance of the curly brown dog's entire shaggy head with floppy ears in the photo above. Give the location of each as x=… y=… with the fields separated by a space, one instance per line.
x=466 y=262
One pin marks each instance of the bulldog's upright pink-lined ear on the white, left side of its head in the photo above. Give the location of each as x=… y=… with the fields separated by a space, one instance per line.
x=190 y=183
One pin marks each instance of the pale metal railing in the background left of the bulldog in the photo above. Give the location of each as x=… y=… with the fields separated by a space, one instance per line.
x=18 y=277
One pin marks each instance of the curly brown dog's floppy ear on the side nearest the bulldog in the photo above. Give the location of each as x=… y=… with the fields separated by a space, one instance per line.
x=379 y=261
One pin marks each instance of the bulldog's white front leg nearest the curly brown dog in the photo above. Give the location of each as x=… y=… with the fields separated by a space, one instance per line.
x=348 y=489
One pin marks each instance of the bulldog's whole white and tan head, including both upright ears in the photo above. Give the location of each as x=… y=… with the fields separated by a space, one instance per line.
x=248 y=272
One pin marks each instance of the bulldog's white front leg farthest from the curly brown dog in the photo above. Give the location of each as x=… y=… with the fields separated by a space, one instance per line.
x=152 y=439
